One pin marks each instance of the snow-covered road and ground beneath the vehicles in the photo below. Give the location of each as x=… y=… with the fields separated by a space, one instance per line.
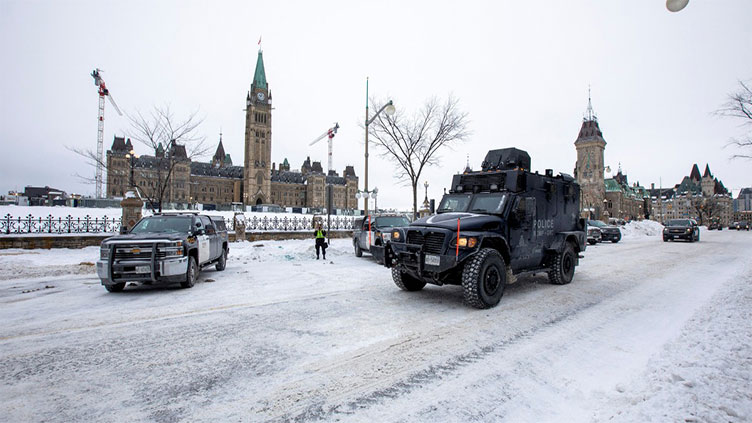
x=647 y=331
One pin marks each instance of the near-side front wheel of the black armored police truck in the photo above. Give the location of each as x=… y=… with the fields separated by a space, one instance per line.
x=484 y=278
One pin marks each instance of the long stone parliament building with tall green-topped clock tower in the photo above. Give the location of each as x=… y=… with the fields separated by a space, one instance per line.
x=219 y=183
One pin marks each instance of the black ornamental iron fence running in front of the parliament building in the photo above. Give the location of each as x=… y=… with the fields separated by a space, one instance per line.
x=95 y=225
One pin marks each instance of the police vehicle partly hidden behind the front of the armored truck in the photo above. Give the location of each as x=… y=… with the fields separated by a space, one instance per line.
x=372 y=234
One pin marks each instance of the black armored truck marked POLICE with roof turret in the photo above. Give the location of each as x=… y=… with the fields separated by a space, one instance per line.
x=493 y=225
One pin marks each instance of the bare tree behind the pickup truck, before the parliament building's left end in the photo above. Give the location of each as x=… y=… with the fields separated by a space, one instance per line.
x=173 y=141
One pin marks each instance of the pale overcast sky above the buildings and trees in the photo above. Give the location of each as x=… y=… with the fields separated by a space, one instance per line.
x=520 y=69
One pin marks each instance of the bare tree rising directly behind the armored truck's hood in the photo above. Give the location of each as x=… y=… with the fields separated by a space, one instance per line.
x=414 y=141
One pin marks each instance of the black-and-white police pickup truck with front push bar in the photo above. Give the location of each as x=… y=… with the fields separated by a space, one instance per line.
x=168 y=247
